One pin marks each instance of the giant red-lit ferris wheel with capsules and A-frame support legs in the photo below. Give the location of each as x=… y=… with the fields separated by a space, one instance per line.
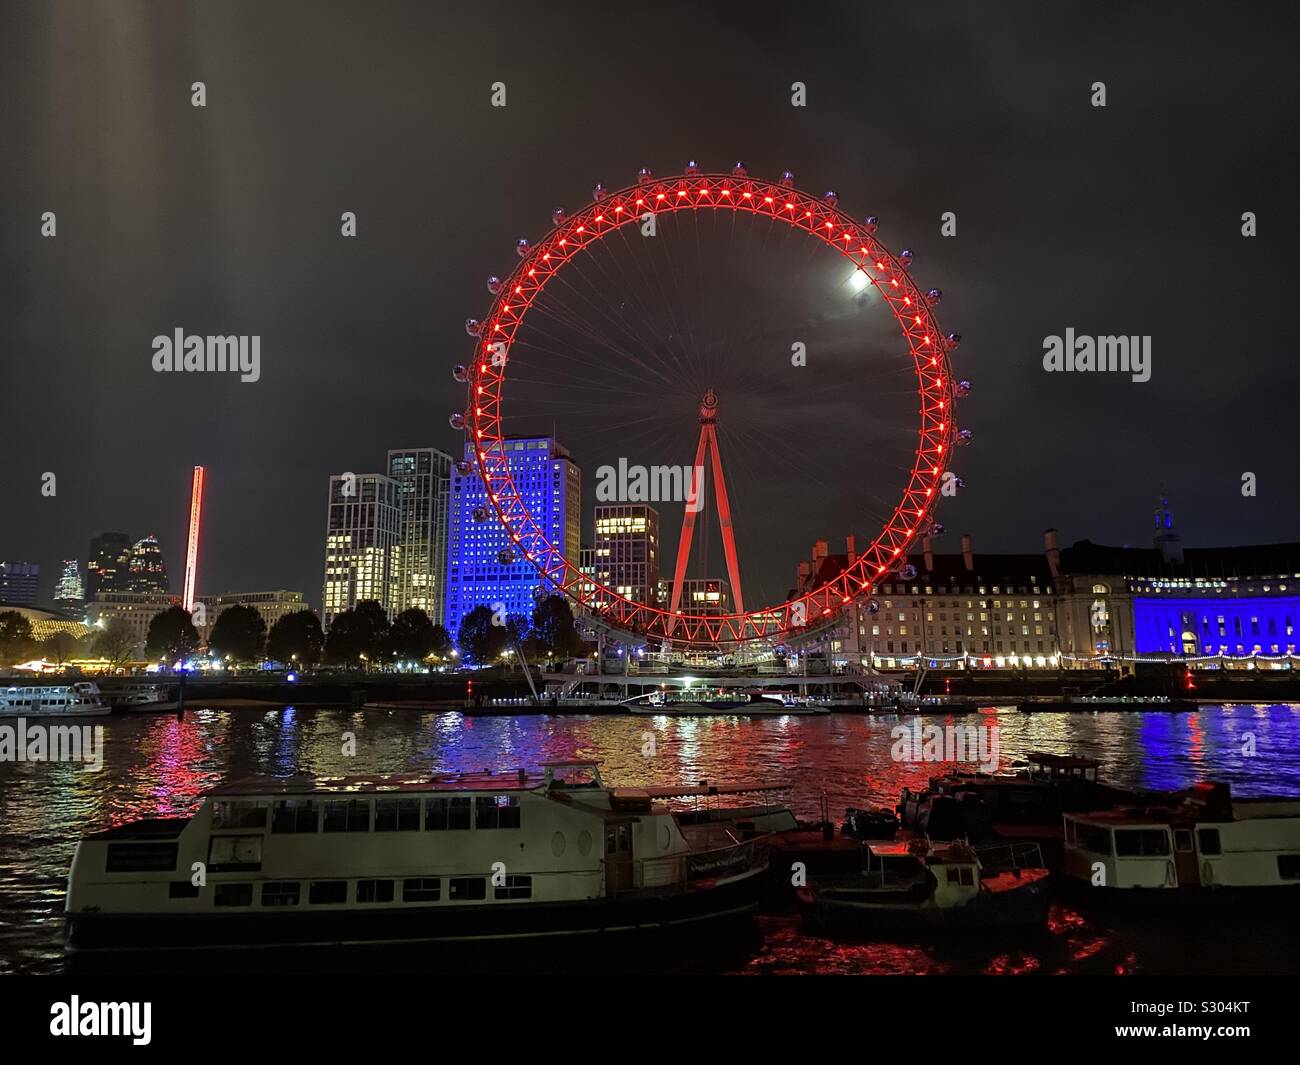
x=543 y=296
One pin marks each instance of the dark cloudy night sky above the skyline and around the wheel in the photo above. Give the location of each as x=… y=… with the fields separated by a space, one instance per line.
x=226 y=220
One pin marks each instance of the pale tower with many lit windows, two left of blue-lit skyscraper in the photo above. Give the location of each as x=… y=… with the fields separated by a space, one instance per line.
x=362 y=530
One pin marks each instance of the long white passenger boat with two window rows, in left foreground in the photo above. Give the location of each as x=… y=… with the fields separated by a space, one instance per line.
x=408 y=860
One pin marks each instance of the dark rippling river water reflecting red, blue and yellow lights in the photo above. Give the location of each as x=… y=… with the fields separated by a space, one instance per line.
x=155 y=767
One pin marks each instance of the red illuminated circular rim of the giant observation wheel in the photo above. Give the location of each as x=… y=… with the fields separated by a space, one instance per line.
x=818 y=218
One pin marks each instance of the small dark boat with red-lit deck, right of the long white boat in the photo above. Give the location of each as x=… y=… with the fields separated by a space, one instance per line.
x=917 y=882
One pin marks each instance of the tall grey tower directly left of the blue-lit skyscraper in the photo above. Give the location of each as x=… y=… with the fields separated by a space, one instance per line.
x=423 y=477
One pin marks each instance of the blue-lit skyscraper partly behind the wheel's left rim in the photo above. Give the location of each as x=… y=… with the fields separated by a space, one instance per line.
x=483 y=566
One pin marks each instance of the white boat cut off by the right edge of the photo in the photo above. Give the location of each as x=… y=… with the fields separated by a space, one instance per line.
x=1210 y=842
